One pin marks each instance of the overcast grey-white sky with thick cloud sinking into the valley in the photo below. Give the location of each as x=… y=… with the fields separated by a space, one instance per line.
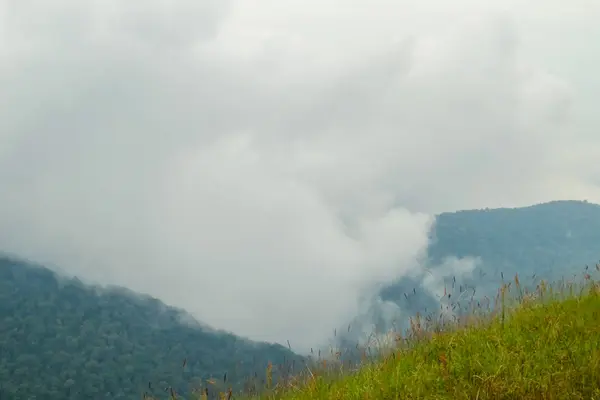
x=266 y=165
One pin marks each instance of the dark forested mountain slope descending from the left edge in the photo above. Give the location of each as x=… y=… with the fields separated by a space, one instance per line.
x=62 y=339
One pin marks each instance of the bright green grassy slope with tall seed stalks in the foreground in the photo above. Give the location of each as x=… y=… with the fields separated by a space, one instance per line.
x=538 y=345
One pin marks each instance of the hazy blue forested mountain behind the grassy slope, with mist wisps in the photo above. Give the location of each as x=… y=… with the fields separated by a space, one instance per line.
x=549 y=241
